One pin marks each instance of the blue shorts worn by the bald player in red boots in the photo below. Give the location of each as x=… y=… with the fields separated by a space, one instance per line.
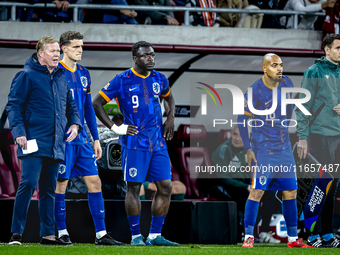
x=274 y=172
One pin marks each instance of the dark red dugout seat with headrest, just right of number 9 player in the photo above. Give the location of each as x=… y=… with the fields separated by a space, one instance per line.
x=193 y=157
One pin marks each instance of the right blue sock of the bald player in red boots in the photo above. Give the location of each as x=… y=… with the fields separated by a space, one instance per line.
x=289 y=211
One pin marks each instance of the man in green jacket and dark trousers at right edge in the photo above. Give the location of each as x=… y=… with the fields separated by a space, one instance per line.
x=323 y=135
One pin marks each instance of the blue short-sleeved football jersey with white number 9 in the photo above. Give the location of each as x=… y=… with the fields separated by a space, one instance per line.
x=137 y=97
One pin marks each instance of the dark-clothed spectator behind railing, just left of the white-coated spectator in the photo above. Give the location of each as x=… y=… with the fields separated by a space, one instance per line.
x=269 y=21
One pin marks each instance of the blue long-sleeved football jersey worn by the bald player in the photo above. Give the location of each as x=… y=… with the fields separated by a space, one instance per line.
x=272 y=136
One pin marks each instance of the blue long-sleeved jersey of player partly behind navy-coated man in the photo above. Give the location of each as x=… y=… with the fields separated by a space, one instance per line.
x=79 y=81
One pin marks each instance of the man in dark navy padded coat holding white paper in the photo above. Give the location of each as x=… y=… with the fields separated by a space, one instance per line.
x=40 y=107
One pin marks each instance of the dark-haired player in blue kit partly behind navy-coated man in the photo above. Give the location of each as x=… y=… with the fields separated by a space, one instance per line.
x=80 y=157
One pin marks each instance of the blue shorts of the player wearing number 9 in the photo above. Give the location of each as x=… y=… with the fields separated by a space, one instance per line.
x=141 y=166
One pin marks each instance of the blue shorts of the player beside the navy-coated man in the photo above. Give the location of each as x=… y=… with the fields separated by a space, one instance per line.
x=79 y=161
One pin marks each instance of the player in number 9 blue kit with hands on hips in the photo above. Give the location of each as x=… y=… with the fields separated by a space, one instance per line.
x=144 y=153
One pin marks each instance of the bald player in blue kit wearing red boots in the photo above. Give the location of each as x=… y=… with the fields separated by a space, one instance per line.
x=270 y=153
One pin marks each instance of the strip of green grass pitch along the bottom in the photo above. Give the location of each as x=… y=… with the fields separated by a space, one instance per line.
x=92 y=249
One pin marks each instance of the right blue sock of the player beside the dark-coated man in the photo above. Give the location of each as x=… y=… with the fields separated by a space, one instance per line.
x=96 y=205
